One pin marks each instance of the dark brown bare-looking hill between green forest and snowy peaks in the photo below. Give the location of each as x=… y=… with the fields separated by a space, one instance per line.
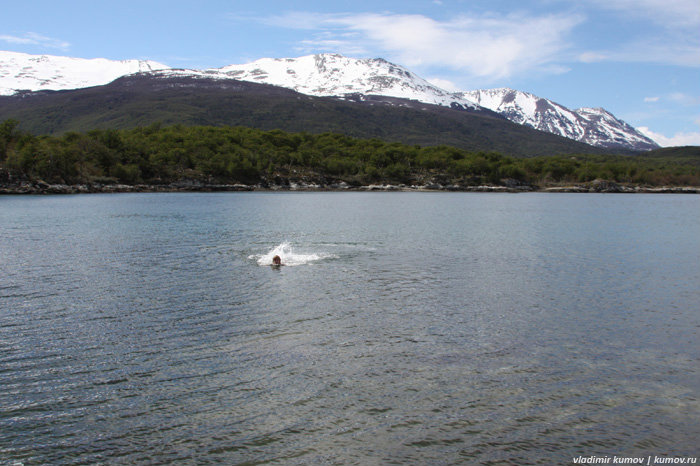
x=171 y=98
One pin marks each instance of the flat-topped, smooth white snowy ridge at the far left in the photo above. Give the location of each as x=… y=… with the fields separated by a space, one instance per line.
x=20 y=71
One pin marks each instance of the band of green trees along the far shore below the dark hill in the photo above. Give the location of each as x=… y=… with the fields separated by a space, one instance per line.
x=157 y=154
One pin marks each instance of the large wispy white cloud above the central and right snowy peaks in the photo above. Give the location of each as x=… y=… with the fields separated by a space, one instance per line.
x=487 y=46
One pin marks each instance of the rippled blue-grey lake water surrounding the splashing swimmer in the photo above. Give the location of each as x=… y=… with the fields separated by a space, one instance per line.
x=419 y=328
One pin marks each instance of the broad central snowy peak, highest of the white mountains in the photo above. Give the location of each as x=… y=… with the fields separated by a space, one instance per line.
x=335 y=75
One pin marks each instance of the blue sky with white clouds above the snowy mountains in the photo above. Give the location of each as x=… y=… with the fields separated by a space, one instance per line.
x=639 y=59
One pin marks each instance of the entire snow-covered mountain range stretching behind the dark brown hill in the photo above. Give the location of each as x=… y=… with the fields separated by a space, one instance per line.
x=332 y=75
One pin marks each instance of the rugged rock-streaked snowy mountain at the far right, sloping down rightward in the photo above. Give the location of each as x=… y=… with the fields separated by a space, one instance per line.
x=594 y=126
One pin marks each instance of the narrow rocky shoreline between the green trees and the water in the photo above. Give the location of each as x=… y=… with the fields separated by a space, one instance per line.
x=598 y=186
